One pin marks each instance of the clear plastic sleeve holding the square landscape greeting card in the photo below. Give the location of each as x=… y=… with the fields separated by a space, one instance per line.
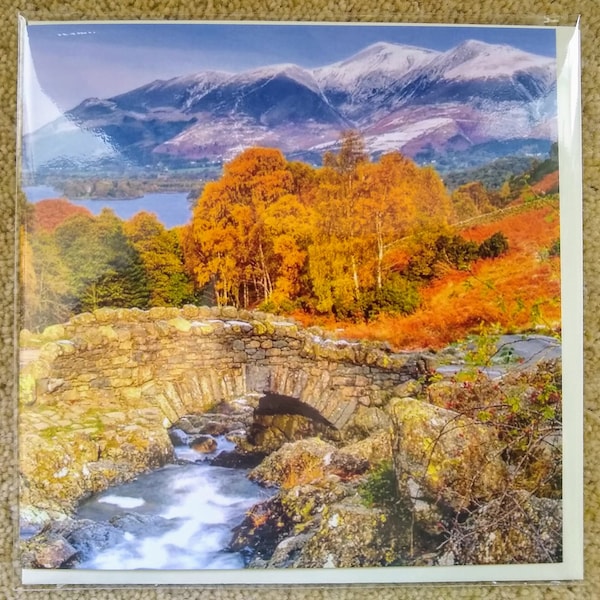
x=300 y=303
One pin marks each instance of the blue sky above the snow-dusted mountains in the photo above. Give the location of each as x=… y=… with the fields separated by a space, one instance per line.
x=75 y=61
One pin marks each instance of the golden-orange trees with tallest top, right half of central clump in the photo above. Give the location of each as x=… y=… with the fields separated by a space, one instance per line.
x=363 y=209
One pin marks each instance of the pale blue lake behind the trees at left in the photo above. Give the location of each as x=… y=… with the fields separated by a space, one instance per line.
x=171 y=209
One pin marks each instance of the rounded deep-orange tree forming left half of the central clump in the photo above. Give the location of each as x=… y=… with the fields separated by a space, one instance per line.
x=232 y=248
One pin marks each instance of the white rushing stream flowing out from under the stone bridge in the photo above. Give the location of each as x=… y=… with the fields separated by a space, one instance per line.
x=177 y=517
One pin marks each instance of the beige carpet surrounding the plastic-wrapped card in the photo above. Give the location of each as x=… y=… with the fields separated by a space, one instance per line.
x=459 y=11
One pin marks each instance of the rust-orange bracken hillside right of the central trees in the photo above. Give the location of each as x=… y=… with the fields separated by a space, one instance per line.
x=519 y=291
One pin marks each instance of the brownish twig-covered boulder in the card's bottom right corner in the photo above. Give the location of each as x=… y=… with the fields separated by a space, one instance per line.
x=514 y=528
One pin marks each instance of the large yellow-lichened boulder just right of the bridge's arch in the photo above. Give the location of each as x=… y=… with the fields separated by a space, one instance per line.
x=449 y=458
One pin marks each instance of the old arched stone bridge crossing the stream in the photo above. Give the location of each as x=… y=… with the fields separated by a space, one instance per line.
x=185 y=361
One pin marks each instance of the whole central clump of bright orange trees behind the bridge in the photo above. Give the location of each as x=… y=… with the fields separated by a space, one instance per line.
x=272 y=231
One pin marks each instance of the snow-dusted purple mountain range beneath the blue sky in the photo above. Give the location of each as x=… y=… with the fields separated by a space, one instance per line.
x=399 y=97
